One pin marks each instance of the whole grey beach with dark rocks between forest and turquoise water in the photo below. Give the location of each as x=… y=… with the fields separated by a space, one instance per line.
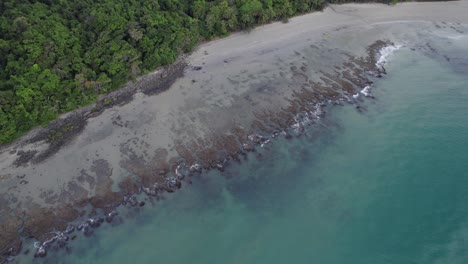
x=234 y=93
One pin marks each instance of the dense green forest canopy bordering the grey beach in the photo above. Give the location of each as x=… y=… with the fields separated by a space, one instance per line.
x=57 y=55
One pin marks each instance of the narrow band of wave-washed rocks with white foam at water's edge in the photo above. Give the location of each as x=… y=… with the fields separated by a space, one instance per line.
x=255 y=141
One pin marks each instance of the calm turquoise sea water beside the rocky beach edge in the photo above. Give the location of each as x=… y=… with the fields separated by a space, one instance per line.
x=388 y=185
